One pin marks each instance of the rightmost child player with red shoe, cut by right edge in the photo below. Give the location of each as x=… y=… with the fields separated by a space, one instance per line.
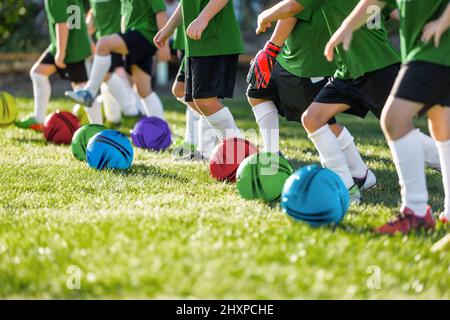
x=422 y=87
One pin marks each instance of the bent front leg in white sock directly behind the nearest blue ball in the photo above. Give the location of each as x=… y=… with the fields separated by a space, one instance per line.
x=315 y=120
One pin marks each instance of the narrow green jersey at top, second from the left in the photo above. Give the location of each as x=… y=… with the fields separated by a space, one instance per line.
x=107 y=16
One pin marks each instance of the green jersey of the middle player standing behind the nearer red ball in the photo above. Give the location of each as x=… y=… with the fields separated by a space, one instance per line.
x=222 y=36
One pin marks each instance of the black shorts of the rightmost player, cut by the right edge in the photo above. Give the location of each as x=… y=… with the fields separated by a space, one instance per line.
x=424 y=82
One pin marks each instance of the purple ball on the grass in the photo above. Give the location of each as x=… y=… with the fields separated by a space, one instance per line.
x=151 y=133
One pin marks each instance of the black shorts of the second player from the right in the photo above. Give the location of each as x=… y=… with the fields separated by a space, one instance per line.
x=367 y=93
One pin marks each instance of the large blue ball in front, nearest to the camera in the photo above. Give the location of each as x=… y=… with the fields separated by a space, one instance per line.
x=315 y=195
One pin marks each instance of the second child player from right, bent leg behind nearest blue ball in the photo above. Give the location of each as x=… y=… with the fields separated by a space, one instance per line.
x=362 y=82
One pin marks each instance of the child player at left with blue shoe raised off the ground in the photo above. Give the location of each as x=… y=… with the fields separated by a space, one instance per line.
x=142 y=19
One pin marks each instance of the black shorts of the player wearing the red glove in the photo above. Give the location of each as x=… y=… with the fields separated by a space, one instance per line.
x=291 y=94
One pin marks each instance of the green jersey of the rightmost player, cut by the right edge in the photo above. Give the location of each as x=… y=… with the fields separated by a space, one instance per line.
x=415 y=14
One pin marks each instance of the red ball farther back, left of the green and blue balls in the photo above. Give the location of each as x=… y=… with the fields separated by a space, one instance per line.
x=60 y=126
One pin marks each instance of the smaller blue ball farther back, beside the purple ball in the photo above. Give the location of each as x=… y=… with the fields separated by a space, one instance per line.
x=109 y=149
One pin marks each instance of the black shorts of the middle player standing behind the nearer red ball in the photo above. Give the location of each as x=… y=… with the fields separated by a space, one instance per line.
x=209 y=77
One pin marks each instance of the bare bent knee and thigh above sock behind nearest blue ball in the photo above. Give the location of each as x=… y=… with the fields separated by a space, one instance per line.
x=319 y=114
